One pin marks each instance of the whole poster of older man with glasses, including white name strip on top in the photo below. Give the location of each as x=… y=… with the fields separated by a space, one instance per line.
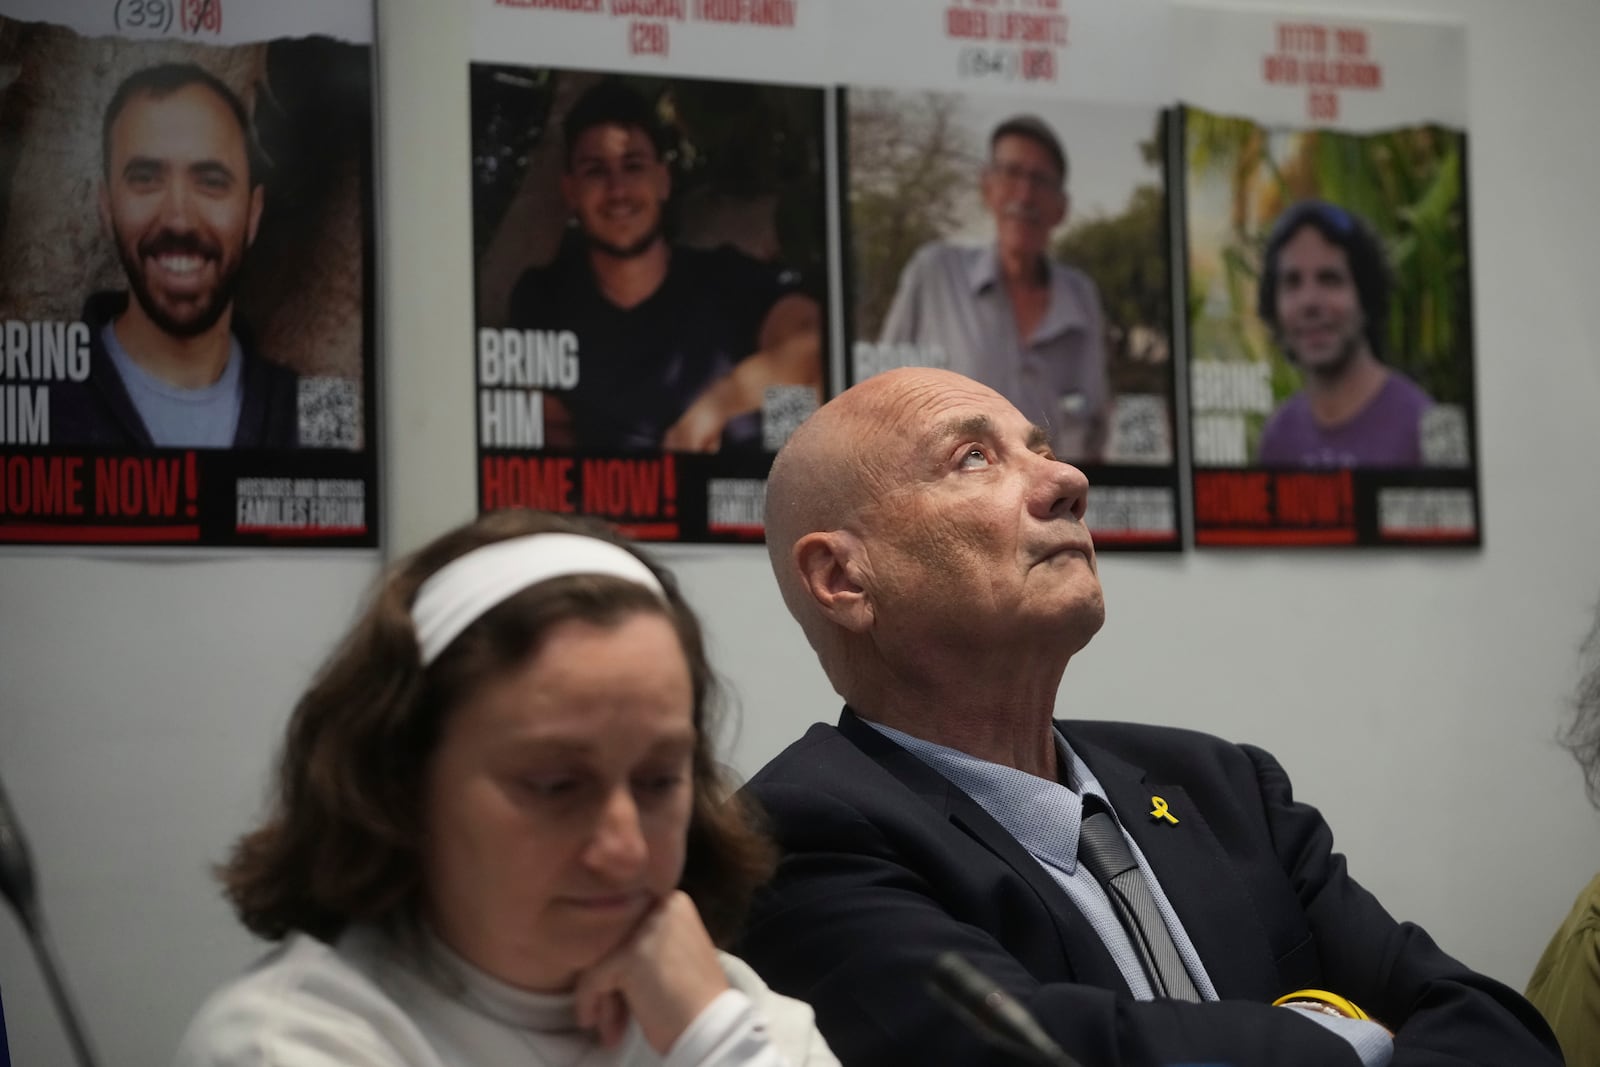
x=1007 y=220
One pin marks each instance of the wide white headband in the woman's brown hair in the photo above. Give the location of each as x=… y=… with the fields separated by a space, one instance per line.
x=462 y=591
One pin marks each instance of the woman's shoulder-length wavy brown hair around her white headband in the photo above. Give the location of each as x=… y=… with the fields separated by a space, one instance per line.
x=342 y=842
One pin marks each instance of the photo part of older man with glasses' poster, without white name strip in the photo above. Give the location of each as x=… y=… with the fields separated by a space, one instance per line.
x=1023 y=242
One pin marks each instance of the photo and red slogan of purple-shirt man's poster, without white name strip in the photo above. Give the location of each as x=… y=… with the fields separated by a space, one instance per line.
x=1330 y=345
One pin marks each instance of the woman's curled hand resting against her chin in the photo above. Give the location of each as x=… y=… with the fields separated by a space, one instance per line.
x=665 y=975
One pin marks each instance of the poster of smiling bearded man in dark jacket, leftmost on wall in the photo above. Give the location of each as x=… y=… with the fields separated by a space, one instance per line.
x=186 y=354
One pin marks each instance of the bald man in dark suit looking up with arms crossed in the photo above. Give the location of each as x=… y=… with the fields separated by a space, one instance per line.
x=934 y=551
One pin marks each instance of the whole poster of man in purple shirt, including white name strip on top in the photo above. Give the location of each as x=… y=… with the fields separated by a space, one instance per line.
x=1330 y=319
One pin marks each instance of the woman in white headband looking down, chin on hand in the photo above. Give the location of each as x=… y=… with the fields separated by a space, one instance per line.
x=498 y=833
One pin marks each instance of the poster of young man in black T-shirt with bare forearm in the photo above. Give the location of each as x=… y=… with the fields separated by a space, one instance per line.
x=652 y=278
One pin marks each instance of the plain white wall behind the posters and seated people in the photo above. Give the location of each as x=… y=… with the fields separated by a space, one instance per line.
x=1412 y=697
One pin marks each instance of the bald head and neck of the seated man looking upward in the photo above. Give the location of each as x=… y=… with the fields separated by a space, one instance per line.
x=932 y=548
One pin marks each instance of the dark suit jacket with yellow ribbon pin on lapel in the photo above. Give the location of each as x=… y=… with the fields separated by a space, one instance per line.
x=887 y=866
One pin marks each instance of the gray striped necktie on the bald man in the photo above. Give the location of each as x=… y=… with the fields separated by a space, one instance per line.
x=1105 y=852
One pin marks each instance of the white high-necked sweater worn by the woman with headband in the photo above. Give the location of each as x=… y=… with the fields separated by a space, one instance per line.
x=366 y=1002
